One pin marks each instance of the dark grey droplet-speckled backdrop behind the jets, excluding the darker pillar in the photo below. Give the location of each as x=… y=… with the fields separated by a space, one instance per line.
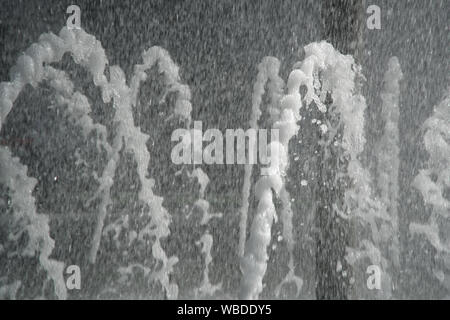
x=218 y=45
